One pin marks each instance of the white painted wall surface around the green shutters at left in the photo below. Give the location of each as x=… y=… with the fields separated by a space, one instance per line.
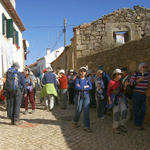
x=8 y=51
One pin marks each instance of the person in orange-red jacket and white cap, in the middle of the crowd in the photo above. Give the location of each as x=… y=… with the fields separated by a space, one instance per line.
x=63 y=88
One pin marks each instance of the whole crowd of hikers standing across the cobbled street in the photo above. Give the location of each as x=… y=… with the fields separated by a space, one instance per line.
x=84 y=89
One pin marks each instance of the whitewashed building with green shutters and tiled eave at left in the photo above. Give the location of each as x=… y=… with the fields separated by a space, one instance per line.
x=12 y=48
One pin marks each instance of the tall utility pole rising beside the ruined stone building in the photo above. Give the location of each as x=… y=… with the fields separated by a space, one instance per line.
x=65 y=55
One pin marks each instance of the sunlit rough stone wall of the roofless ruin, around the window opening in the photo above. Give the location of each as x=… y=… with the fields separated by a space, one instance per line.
x=99 y=35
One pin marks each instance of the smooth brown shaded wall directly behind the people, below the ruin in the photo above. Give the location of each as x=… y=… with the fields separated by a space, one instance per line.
x=128 y=55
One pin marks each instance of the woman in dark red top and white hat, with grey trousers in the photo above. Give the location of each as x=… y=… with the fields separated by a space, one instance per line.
x=117 y=98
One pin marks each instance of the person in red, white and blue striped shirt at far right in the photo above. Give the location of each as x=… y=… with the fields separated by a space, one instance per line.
x=140 y=81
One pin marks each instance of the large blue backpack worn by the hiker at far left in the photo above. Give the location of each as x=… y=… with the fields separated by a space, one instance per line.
x=12 y=80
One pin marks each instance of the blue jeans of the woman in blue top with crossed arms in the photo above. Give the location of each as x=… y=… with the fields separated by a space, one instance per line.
x=85 y=102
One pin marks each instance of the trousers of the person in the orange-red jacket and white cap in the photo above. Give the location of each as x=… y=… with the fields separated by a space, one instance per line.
x=64 y=98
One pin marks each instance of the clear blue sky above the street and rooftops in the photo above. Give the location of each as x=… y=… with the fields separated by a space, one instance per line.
x=43 y=19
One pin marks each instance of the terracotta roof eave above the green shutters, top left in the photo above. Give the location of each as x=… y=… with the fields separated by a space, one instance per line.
x=13 y=14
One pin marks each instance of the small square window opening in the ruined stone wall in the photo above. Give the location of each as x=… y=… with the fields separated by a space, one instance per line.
x=121 y=37
